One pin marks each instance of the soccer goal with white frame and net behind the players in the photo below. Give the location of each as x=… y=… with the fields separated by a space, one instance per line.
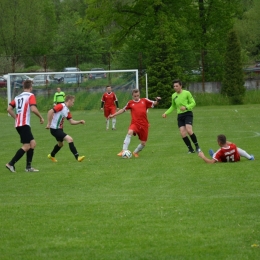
x=87 y=86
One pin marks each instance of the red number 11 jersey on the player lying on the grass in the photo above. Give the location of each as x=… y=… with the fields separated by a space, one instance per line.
x=227 y=154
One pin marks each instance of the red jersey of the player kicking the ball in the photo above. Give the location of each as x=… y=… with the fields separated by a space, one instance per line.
x=139 y=111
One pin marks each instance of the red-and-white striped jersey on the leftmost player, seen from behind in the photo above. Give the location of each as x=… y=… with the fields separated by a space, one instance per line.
x=22 y=104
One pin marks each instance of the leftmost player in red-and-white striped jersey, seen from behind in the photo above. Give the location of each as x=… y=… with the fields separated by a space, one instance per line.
x=24 y=104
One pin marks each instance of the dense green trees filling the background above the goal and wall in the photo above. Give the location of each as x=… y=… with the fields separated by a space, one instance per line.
x=168 y=39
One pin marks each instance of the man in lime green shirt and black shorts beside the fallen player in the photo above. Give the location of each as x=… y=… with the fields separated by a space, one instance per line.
x=183 y=101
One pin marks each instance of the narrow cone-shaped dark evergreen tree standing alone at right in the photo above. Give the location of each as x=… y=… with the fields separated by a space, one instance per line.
x=233 y=82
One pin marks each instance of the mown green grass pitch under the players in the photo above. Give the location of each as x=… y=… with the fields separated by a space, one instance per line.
x=166 y=204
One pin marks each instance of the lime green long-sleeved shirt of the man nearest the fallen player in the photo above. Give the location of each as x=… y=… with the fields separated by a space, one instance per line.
x=182 y=99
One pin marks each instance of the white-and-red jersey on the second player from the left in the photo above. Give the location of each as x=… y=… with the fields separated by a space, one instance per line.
x=60 y=112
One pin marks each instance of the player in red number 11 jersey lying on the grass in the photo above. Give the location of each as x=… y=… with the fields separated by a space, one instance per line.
x=228 y=152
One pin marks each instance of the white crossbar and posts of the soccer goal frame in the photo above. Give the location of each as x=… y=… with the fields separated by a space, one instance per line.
x=62 y=73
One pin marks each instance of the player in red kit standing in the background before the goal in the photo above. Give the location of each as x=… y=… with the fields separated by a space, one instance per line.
x=109 y=104
